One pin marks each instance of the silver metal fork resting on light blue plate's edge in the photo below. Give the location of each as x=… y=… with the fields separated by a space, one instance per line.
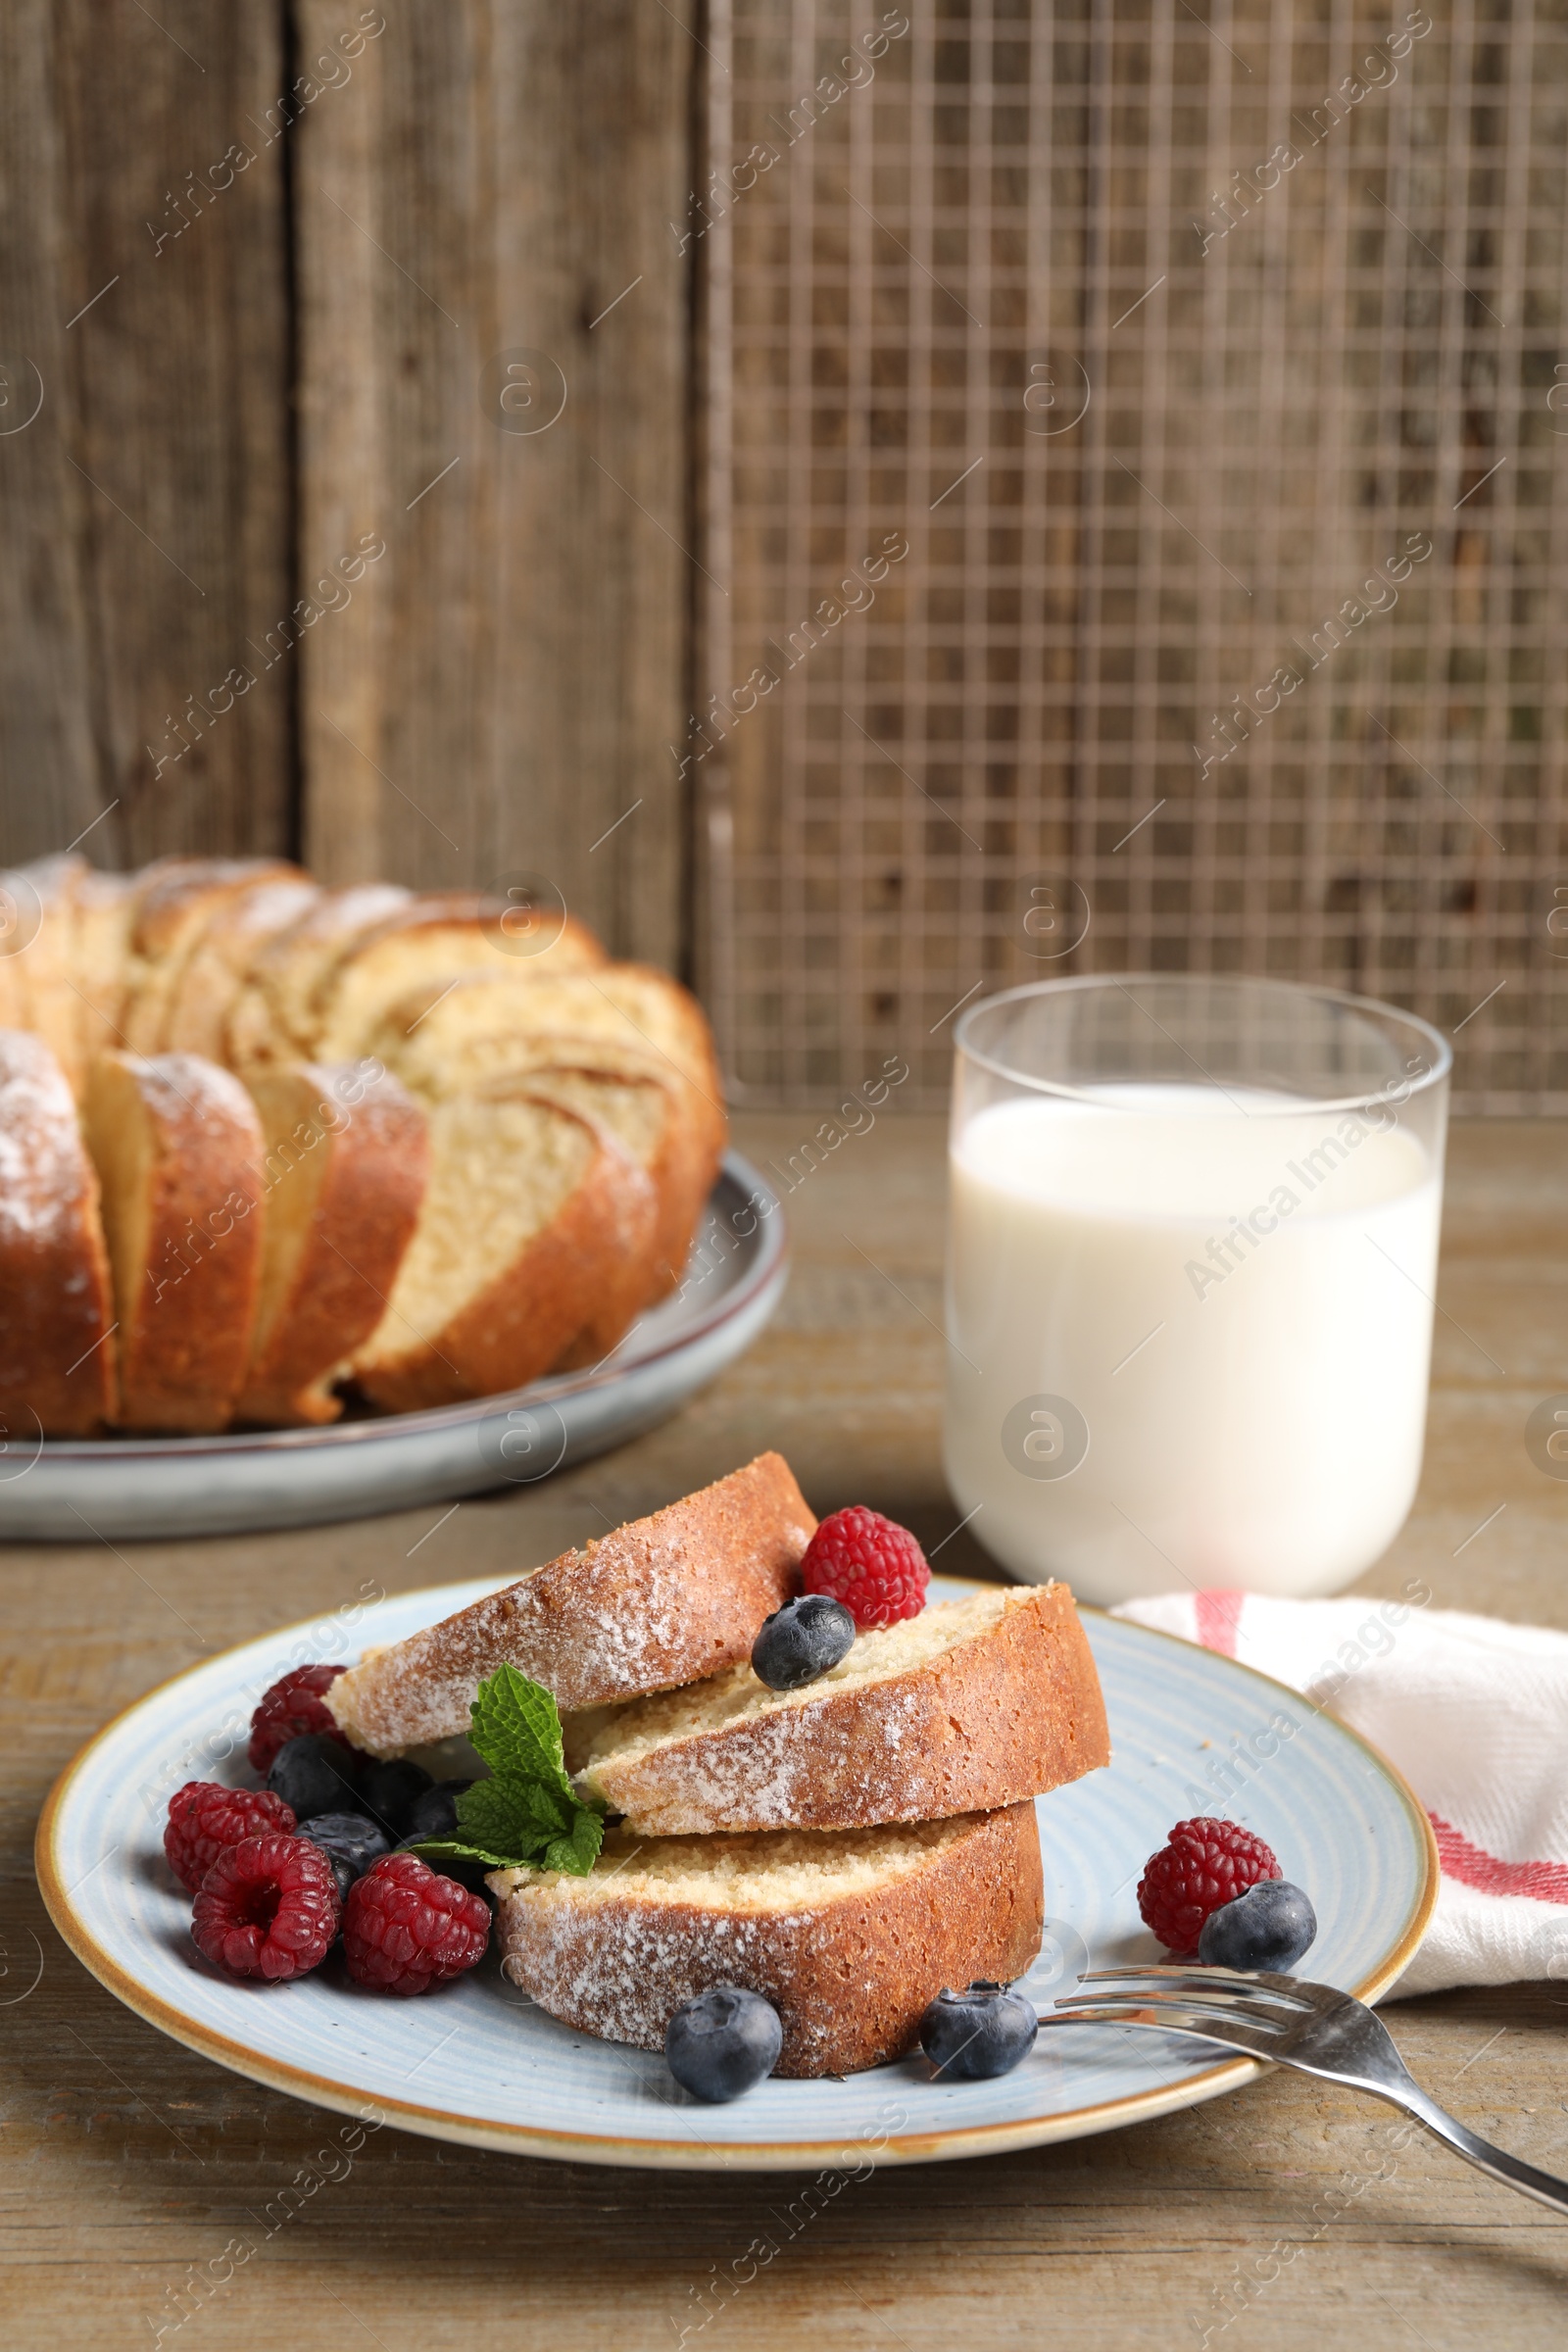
x=1289 y=2022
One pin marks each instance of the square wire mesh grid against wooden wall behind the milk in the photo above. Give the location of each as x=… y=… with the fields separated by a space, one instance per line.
x=1134 y=519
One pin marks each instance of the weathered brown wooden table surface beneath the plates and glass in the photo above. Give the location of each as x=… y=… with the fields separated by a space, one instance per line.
x=130 y=2163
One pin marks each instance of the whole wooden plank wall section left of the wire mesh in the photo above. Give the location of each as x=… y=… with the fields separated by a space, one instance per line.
x=276 y=453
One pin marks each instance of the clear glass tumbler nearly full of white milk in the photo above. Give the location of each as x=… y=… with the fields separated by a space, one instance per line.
x=1191 y=1276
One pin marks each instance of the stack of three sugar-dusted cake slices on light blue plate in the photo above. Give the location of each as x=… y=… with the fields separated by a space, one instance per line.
x=843 y=1850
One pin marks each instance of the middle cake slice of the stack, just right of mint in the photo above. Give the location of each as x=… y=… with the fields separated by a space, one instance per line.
x=963 y=1709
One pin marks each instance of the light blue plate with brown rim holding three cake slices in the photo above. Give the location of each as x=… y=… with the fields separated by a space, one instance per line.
x=481 y=2064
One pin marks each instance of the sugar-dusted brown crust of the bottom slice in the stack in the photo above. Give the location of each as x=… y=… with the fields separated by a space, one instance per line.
x=850 y=1977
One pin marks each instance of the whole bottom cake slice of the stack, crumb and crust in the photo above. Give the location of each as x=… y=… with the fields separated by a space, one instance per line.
x=847 y=1935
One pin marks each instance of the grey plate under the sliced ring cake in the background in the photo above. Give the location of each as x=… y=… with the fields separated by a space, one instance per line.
x=88 y=1488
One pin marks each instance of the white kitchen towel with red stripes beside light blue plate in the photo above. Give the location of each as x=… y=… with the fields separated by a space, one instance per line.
x=1475 y=1716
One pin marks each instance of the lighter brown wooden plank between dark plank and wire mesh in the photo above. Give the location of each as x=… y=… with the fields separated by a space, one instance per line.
x=509 y=676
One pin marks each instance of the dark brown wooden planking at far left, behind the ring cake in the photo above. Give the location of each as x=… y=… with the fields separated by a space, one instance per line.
x=147 y=507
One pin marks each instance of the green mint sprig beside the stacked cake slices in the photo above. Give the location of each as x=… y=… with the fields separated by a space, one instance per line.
x=528 y=1812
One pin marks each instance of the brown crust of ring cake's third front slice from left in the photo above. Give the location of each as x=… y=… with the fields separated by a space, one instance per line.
x=377 y=1156
